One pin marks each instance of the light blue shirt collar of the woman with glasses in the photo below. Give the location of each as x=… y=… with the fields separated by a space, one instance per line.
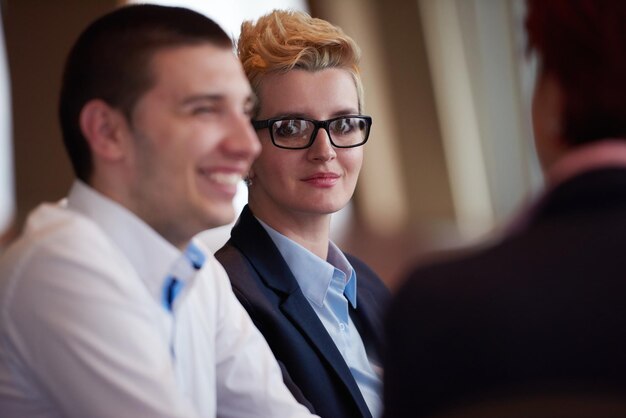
x=313 y=274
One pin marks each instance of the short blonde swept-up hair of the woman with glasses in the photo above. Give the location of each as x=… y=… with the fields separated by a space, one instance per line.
x=284 y=40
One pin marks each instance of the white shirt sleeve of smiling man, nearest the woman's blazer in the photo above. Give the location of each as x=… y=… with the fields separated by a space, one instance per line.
x=249 y=380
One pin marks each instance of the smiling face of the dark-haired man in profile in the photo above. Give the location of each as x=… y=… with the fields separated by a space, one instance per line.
x=191 y=141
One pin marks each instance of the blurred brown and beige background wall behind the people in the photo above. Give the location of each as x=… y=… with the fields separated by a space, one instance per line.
x=450 y=158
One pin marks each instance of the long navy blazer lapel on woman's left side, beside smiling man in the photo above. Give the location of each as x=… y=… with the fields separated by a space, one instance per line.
x=254 y=242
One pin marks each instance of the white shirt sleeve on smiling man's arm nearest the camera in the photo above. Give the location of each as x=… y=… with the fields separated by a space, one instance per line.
x=80 y=322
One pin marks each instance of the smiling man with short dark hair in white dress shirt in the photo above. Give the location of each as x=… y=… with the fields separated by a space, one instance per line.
x=107 y=306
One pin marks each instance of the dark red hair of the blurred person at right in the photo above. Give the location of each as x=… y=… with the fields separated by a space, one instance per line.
x=582 y=43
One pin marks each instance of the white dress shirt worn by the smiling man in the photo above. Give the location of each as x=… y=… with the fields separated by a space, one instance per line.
x=84 y=332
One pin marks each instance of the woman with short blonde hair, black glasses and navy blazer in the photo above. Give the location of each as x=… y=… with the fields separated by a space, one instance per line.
x=318 y=308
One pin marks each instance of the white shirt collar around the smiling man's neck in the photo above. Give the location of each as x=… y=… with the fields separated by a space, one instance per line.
x=153 y=259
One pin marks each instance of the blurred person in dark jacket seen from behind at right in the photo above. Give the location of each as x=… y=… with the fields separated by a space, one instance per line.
x=542 y=312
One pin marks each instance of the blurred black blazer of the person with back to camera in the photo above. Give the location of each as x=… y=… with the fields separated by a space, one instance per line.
x=542 y=310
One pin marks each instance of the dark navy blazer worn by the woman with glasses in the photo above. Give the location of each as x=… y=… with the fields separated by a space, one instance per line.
x=312 y=366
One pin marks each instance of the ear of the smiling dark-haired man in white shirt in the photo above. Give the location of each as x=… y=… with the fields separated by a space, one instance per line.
x=105 y=129
